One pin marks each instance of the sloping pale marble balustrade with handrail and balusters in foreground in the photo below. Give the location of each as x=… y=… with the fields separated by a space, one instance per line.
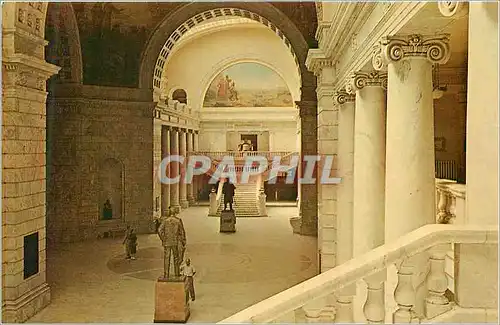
x=371 y=267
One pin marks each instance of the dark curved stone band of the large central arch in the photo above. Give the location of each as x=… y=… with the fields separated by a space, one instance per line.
x=269 y=12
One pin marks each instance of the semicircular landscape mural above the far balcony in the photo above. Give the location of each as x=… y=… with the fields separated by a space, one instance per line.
x=248 y=85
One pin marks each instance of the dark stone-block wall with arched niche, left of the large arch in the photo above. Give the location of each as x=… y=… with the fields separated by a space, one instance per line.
x=87 y=127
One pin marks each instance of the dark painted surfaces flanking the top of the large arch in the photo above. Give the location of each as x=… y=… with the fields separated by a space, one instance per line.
x=113 y=35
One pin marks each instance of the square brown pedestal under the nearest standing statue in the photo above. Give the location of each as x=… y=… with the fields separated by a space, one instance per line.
x=171 y=303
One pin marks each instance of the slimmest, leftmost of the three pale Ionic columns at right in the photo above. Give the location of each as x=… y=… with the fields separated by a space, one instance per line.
x=345 y=165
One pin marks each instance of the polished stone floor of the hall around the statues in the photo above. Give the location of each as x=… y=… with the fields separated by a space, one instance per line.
x=92 y=282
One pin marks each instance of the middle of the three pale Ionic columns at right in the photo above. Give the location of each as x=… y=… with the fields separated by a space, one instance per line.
x=369 y=160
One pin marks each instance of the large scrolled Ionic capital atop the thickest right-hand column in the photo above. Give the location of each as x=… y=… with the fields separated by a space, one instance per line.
x=392 y=49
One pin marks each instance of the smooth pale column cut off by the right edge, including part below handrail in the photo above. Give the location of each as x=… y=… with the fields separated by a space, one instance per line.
x=482 y=155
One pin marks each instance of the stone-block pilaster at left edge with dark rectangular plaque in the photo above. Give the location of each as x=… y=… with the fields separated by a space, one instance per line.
x=24 y=291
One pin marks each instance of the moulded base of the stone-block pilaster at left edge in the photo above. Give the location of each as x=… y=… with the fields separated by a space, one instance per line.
x=24 y=307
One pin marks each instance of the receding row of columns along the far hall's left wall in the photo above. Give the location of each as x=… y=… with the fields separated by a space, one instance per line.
x=176 y=141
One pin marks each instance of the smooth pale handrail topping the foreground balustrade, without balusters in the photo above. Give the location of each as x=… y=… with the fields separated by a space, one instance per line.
x=365 y=265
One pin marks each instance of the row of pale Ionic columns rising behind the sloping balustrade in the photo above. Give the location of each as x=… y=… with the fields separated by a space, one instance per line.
x=380 y=124
